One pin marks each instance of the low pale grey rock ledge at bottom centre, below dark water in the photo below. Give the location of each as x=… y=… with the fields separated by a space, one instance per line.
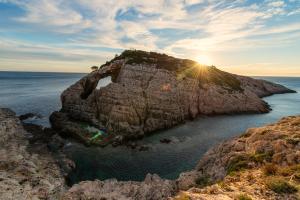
x=152 y=188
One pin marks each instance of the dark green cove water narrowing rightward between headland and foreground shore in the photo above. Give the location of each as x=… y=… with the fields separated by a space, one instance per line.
x=190 y=141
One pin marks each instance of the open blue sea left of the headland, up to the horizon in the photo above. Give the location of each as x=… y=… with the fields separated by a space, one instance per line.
x=35 y=92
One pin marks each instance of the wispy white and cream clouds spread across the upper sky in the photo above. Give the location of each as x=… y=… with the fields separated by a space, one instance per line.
x=206 y=26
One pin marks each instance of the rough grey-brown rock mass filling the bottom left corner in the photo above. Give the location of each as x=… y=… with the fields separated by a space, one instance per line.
x=24 y=173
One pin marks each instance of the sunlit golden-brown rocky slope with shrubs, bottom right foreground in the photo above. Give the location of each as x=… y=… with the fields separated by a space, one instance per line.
x=256 y=164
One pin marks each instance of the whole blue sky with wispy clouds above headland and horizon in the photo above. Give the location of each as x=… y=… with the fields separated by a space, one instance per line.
x=248 y=37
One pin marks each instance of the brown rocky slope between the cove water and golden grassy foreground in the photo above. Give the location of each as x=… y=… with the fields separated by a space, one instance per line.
x=276 y=143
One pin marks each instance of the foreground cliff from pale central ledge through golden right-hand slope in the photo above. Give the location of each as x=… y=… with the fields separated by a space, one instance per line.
x=263 y=163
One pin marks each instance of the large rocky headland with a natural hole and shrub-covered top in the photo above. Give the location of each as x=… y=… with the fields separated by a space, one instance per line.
x=151 y=91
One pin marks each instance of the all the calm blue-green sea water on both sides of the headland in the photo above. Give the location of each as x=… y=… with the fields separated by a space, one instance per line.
x=39 y=93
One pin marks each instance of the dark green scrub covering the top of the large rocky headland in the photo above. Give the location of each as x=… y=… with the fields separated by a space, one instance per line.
x=182 y=67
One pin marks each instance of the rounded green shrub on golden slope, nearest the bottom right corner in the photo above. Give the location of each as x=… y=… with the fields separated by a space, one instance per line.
x=279 y=185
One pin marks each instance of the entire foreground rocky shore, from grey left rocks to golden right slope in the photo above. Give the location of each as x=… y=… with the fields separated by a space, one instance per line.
x=263 y=163
